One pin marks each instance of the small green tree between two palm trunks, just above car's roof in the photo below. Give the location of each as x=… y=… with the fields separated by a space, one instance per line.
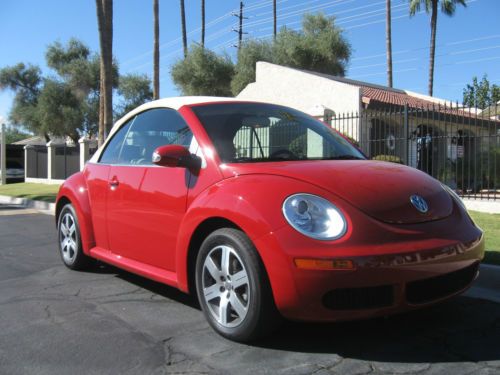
x=134 y=89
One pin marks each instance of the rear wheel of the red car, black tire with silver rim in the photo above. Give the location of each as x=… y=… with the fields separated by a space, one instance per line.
x=69 y=240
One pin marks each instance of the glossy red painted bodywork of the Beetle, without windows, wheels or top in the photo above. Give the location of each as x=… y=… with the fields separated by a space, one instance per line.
x=143 y=218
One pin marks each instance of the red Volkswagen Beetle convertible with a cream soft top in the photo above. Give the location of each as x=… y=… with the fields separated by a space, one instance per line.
x=264 y=212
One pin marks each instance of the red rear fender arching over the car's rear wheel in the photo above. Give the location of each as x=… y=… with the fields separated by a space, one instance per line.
x=75 y=190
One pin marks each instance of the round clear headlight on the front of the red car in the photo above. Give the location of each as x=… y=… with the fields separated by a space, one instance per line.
x=314 y=217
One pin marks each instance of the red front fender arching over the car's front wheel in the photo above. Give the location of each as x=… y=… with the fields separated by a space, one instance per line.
x=254 y=204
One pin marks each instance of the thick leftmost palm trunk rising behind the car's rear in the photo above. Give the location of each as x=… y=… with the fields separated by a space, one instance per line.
x=105 y=24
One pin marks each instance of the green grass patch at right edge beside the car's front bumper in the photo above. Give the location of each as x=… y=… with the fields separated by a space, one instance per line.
x=490 y=224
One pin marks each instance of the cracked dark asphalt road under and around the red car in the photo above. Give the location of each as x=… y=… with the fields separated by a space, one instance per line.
x=106 y=321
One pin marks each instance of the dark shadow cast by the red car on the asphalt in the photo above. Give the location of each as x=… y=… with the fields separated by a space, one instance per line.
x=458 y=330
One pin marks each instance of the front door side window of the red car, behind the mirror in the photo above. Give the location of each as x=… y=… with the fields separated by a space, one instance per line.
x=151 y=129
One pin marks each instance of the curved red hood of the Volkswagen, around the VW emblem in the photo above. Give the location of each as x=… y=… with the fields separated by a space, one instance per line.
x=381 y=190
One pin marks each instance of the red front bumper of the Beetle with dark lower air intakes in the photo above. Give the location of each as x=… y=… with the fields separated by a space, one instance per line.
x=381 y=284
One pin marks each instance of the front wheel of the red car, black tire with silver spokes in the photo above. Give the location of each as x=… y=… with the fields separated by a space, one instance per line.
x=261 y=315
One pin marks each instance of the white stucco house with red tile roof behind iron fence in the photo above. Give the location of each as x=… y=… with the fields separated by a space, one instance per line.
x=422 y=131
